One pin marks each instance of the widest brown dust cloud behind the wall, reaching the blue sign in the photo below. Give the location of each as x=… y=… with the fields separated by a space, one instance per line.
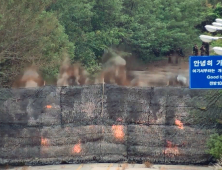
x=130 y=72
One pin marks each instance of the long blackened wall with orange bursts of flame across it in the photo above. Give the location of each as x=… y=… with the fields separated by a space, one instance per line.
x=97 y=123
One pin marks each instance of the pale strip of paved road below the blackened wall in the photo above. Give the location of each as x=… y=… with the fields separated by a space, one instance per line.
x=112 y=167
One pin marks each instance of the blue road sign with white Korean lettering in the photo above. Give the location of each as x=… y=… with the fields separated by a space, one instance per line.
x=205 y=72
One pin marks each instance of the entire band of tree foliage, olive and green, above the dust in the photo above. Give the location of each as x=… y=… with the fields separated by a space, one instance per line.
x=39 y=32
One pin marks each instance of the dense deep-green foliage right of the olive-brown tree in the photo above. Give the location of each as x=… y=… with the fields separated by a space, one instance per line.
x=94 y=25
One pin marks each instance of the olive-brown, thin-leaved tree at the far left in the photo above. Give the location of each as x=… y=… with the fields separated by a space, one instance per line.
x=29 y=35
